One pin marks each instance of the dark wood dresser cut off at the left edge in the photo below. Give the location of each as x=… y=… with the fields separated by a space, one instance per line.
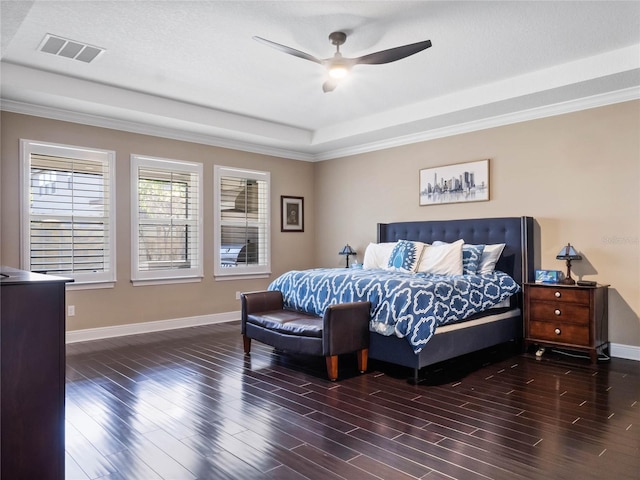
x=32 y=356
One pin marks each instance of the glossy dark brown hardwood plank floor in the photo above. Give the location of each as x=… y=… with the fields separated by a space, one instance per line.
x=187 y=404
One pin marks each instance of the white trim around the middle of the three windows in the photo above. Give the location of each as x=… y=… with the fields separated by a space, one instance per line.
x=161 y=277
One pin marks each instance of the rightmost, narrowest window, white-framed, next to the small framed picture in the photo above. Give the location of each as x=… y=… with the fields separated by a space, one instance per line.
x=242 y=242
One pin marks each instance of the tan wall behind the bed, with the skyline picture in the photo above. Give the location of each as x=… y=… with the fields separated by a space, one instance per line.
x=577 y=174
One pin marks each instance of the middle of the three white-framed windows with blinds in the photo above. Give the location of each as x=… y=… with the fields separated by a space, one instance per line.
x=166 y=220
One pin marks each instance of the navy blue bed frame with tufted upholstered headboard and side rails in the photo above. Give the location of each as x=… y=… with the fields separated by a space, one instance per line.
x=518 y=260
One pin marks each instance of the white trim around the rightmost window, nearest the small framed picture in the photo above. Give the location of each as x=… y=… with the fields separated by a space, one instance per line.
x=245 y=272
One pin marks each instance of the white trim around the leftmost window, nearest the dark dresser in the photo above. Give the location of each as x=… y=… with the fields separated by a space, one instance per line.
x=28 y=147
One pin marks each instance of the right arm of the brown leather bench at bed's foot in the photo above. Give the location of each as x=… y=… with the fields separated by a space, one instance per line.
x=346 y=328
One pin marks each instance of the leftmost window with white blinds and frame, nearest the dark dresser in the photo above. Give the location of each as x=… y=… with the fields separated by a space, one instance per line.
x=68 y=214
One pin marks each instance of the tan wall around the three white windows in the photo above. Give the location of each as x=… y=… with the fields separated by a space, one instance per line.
x=125 y=303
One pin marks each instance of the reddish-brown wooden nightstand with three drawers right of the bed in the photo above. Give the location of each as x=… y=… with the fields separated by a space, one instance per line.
x=567 y=316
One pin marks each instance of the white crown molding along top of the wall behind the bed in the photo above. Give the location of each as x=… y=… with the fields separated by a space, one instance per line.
x=595 y=101
